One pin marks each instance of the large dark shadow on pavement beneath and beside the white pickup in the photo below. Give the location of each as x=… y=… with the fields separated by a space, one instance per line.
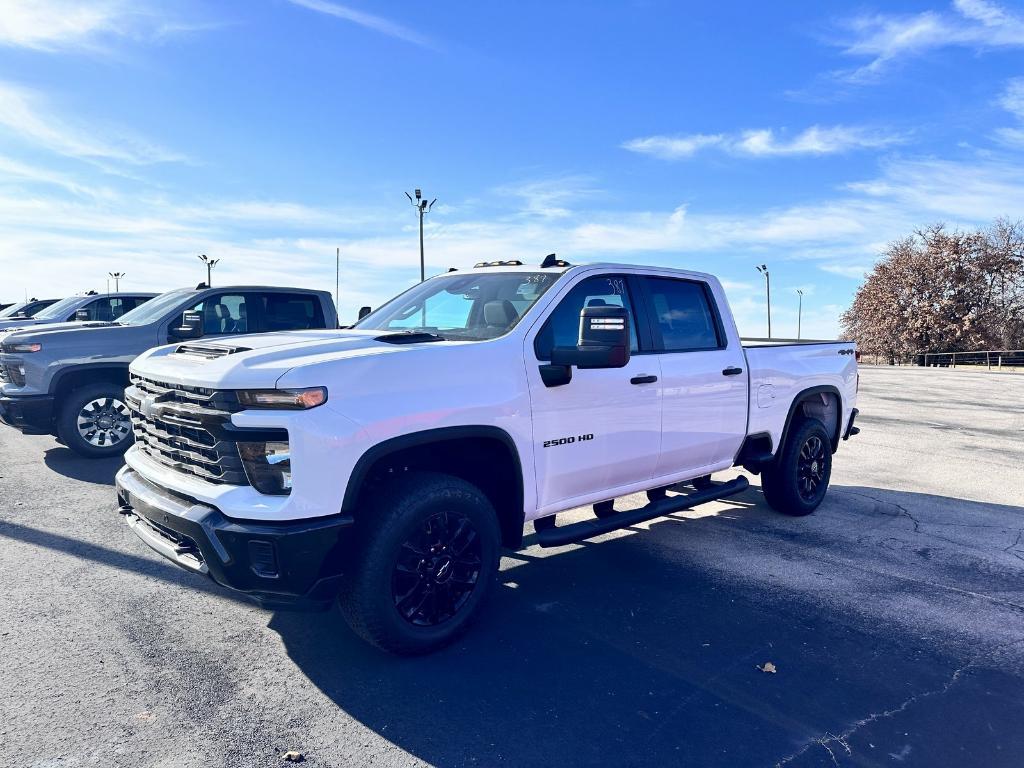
x=632 y=653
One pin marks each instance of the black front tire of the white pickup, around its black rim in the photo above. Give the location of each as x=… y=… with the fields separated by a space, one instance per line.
x=369 y=599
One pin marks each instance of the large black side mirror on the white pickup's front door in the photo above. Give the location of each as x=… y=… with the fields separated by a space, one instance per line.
x=604 y=343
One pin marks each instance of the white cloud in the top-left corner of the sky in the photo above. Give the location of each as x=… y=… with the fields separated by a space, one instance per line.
x=83 y=25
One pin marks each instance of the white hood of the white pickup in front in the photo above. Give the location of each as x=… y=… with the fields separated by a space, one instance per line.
x=260 y=361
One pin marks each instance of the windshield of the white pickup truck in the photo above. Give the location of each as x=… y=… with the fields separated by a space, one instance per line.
x=472 y=307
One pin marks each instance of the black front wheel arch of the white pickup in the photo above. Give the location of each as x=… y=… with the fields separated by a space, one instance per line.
x=486 y=456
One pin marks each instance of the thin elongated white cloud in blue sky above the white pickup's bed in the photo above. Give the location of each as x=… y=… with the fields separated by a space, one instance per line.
x=766 y=143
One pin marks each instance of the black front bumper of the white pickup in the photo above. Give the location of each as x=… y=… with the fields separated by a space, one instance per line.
x=294 y=565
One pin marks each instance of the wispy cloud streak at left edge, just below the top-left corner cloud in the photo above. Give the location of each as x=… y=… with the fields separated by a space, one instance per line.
x=28 y=118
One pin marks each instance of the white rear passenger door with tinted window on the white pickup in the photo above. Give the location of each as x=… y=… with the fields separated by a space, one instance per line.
x=704 y=378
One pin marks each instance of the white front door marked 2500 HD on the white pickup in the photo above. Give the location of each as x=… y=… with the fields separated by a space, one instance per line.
x=603 y=431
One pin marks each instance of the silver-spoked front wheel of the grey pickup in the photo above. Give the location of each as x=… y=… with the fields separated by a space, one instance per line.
x=95 y=422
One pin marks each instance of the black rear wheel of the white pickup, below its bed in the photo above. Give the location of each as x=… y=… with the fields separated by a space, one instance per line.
x=797 y=482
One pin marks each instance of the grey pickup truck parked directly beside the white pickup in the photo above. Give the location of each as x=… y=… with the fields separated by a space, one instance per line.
x=69 y=379
